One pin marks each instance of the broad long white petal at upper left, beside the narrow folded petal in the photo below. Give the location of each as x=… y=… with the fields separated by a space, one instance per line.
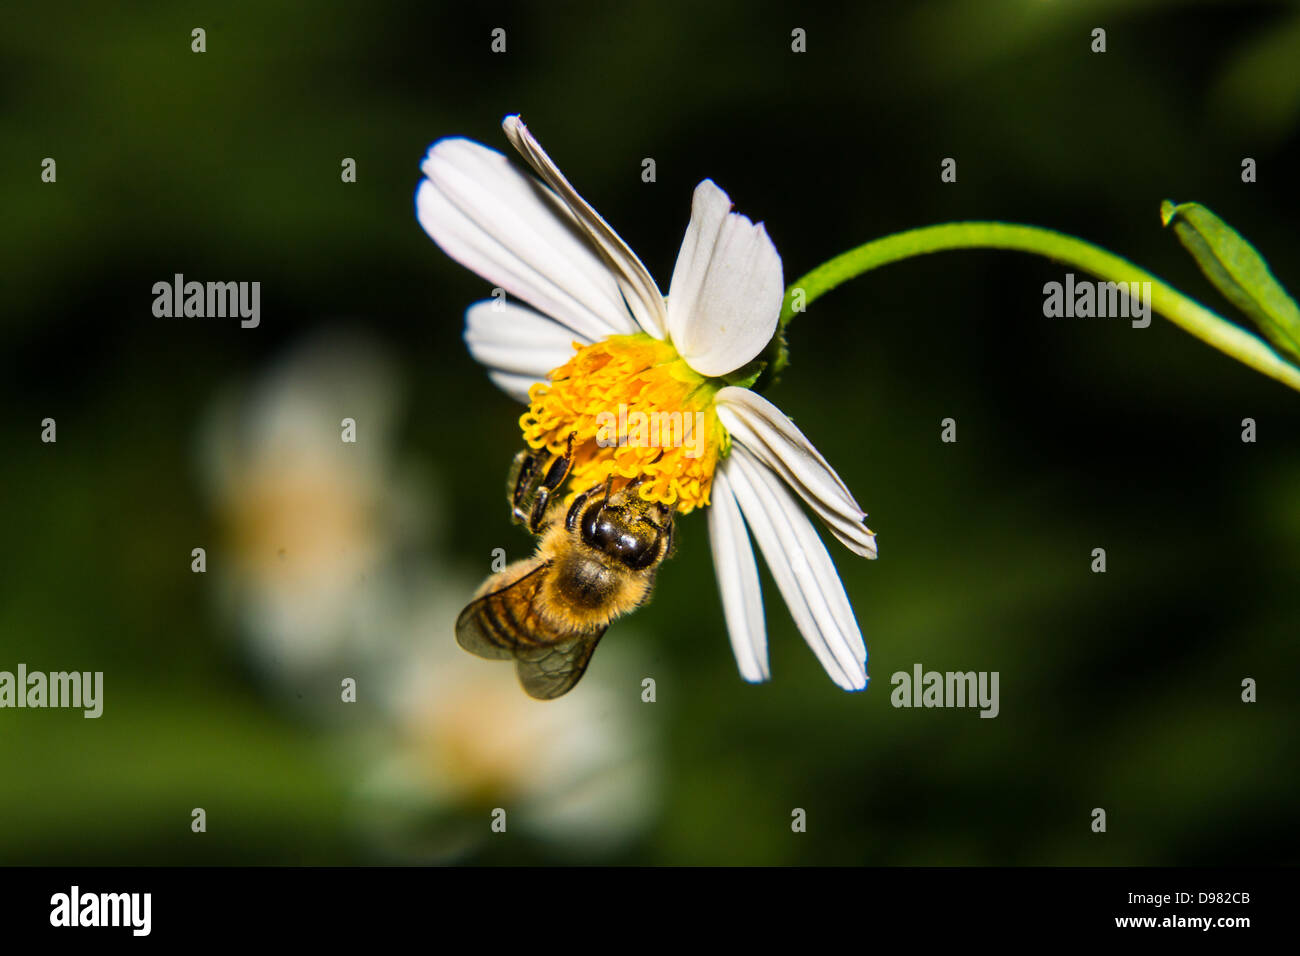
x=514 y=232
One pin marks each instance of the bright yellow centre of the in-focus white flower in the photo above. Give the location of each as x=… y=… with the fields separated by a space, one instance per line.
x=634 y=408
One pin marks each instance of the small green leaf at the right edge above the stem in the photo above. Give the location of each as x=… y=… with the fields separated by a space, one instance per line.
x=1238 y=272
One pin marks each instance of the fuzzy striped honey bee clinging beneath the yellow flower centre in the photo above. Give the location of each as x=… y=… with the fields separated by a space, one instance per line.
x=595 y=564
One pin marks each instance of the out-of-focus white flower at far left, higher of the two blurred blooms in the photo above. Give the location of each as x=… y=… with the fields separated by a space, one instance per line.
x=309 y=525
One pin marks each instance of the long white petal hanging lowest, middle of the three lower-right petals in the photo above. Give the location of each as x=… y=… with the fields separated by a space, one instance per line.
x=803 y=569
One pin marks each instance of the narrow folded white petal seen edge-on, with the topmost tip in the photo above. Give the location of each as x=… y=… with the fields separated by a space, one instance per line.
x=643 y=296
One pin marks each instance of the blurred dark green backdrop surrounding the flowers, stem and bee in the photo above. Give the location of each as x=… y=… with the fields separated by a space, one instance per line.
x=1117 y=691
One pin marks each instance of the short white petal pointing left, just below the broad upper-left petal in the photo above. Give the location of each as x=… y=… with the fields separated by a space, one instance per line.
x=518 y=341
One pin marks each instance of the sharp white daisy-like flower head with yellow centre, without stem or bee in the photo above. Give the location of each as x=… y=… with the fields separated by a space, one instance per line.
x=601 y=338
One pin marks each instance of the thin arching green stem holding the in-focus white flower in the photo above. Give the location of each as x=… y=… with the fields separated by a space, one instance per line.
x=1165 y=300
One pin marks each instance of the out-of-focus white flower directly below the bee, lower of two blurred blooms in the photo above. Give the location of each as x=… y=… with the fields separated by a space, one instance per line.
x=579 y=773
